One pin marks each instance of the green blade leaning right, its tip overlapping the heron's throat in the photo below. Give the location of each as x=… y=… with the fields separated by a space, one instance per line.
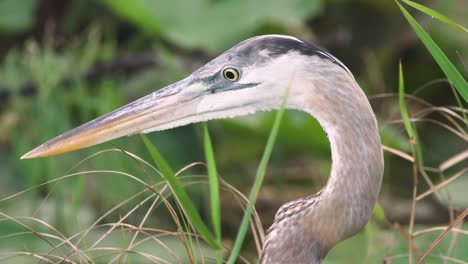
x=258 y=181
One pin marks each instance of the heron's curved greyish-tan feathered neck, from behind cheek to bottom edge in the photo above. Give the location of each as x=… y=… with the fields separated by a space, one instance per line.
x=343 y=207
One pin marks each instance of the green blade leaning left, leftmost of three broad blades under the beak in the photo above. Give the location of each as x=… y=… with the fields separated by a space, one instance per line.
x=181 y=195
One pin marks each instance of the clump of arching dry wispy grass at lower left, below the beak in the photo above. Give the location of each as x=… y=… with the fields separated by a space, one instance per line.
x=75 y=248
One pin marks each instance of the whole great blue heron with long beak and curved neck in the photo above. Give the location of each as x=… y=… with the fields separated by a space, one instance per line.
x=253 y=76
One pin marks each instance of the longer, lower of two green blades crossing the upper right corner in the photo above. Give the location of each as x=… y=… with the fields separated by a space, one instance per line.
x=453 y=75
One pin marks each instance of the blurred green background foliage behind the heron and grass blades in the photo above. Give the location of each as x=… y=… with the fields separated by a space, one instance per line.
x=65 y=62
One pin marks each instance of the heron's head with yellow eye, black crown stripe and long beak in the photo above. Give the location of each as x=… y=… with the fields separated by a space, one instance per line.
x=251 y=76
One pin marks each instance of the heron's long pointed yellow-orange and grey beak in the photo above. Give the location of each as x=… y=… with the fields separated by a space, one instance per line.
x=155 y=111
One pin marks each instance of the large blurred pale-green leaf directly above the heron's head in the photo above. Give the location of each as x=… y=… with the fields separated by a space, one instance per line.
x=207 y=24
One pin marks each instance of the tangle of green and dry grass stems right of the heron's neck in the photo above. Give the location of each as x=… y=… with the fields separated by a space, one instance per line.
x=450 y=114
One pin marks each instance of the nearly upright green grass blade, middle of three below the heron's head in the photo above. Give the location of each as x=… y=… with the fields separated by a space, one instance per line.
x=214 y=184
